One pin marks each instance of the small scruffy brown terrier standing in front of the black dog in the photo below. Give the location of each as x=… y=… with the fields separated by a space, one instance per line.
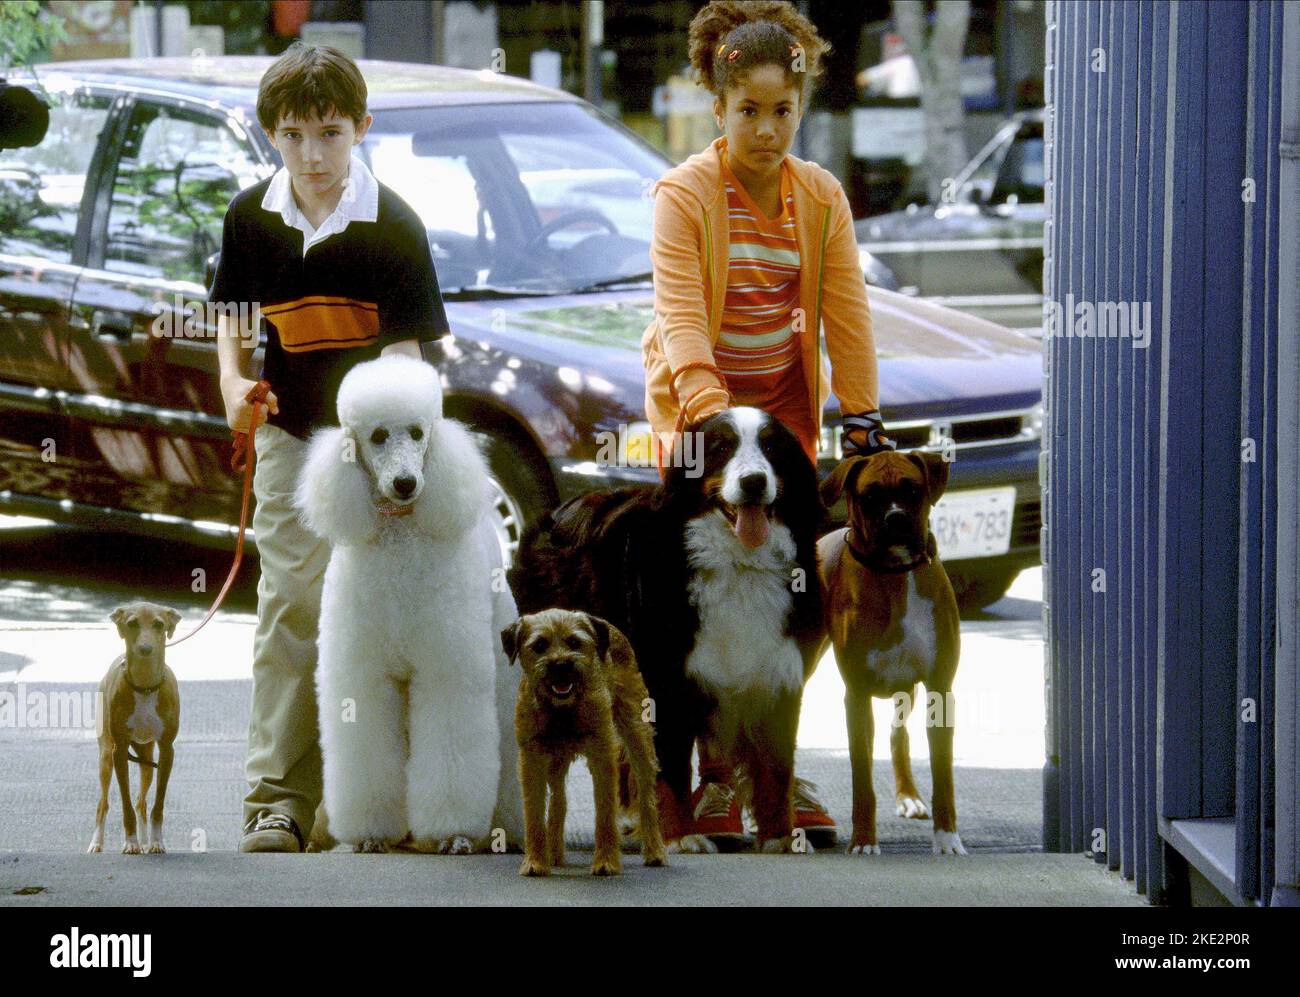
x=580 y=695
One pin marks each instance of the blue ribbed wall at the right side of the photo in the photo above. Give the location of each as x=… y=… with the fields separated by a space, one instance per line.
x=1160 y=540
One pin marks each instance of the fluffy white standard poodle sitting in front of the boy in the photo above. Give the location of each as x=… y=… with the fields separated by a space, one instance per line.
x=415 y=695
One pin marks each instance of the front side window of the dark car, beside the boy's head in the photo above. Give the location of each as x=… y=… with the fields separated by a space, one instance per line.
x=175 y=179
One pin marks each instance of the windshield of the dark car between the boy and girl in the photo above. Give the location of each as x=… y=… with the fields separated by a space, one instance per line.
x=541 y=198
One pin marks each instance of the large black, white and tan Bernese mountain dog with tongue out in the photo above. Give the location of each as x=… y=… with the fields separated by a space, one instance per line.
x=713 y=578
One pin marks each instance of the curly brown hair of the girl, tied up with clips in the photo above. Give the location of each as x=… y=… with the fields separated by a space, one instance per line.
x=730 y=38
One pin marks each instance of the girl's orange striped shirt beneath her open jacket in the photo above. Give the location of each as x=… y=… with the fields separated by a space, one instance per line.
x=759 y=349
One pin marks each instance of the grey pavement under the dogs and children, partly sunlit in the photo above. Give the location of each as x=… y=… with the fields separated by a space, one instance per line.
x=53 y=656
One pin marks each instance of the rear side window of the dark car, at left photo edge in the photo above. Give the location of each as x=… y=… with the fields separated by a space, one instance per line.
x=42 y=187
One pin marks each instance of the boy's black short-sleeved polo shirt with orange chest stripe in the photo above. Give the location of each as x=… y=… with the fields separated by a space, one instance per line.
x=327 y=311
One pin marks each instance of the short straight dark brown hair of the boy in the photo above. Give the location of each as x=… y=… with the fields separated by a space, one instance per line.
x=311 y=83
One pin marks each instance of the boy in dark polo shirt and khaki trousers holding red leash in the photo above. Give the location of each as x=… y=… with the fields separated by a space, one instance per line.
x=343 y=272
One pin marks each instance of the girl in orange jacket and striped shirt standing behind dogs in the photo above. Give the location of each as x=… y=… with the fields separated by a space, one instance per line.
x=753 y=255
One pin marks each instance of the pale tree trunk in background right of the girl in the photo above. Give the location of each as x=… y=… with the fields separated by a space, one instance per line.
x=938 y=54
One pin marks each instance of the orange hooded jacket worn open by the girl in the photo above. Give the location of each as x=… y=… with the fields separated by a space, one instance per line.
x=690 y=253
